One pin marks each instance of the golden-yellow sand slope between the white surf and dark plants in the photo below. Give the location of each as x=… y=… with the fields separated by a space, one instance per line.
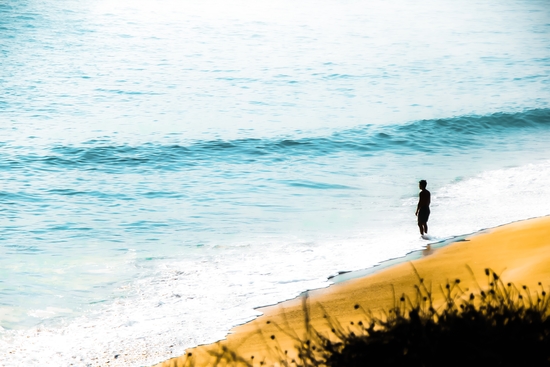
x=519 y=252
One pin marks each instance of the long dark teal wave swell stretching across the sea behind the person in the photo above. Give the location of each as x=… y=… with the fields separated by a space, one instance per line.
x=432 y=136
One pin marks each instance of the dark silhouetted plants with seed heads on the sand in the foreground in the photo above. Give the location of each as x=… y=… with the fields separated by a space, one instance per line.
x=500 y=325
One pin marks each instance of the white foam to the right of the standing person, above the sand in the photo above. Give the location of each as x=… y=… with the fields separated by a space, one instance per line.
x=493 y=198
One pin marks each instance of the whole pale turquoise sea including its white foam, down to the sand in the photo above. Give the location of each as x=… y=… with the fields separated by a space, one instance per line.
x=166 y=167
